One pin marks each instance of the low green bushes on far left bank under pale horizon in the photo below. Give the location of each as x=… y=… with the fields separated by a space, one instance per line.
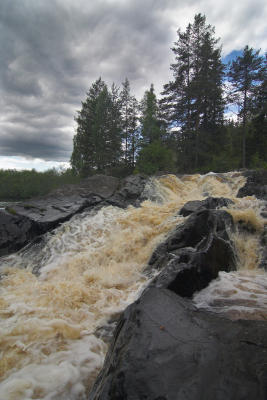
x=20 y=185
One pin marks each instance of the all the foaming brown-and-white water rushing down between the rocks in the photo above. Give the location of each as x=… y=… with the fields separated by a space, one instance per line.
x=88 y=271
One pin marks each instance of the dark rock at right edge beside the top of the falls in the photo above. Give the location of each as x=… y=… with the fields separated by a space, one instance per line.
x=256 y=184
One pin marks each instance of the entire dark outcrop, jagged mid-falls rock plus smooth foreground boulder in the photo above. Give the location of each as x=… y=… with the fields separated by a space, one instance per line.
x=164 y=348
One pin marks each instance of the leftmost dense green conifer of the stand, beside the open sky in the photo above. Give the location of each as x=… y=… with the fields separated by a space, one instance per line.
x=97 y=144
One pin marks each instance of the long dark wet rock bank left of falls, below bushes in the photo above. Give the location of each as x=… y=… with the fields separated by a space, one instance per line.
x=24 y=221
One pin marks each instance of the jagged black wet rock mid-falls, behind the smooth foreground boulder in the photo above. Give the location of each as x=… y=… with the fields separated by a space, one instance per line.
x=194 y=253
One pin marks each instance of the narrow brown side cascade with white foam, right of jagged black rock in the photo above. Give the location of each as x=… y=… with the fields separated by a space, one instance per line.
x=241 y=294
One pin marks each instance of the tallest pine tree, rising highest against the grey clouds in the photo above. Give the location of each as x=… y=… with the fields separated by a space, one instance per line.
x=193 y=101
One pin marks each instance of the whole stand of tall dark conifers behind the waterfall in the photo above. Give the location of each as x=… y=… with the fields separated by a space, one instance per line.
x=187 y=129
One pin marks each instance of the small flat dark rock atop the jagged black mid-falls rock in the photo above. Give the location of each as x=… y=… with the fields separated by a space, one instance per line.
x=209 y=203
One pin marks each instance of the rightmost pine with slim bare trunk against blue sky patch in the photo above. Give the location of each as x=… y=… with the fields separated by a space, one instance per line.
x=245 y=75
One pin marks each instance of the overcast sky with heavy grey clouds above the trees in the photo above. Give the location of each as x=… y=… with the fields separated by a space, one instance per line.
x=51 y=51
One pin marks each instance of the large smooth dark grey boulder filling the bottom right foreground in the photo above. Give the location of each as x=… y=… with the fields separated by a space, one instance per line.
x=165 y=349
